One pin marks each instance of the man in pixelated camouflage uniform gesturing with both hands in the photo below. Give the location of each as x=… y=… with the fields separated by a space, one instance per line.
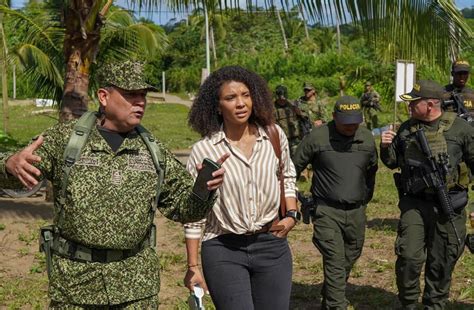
x=102 y=250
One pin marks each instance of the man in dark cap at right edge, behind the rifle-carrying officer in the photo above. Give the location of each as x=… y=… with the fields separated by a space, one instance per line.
x=460 y=72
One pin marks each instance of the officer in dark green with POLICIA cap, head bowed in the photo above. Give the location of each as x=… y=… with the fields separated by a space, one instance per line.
x=344 y=160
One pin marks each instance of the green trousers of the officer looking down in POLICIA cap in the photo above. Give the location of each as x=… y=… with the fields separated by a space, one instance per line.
x=339 y=234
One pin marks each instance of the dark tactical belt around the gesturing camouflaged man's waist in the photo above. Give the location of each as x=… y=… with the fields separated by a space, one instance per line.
x=78 y=252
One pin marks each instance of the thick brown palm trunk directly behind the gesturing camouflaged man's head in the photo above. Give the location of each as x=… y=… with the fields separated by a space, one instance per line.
x=83 y=21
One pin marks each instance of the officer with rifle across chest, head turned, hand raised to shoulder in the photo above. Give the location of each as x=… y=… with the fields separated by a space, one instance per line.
x=425 y=236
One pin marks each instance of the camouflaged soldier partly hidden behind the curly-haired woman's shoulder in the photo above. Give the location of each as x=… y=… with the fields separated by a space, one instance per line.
x=287 y=116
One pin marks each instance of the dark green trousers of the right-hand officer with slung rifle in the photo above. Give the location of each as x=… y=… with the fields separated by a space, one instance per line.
x=426 y=237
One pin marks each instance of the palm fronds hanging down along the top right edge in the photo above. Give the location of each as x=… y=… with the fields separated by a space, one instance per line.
x=426 y=31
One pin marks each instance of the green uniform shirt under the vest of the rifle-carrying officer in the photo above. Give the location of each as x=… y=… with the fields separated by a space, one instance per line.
x=459 y=140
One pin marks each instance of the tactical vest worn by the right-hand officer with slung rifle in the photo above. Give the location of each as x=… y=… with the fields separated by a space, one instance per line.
x=413 y=176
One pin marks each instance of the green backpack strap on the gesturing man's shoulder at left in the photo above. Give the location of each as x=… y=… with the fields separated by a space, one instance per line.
x=72 y=153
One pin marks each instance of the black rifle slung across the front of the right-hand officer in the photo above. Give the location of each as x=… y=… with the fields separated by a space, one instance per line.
x=438 y=170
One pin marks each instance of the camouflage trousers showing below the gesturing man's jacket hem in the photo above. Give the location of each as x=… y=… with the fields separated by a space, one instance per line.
x=146 y=303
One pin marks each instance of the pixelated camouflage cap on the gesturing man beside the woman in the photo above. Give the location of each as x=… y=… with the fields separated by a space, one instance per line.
x=128 y=75
